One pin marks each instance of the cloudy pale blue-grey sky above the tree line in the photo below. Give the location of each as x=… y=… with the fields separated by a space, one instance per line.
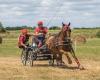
x=81 y=13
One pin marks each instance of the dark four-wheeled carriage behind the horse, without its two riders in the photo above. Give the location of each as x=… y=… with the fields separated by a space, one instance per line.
x=34 y=53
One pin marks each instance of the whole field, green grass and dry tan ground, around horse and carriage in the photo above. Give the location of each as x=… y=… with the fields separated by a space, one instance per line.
x=12 y=69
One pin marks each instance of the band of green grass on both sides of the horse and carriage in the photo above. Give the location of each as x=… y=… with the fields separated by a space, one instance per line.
x=89 y=50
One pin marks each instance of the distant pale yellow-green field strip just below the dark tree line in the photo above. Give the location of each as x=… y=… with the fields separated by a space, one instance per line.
x=86 y=32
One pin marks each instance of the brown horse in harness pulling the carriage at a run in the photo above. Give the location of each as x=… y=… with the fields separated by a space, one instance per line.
x=61 y=44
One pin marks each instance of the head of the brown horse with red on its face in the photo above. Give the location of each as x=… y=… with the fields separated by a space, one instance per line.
x=66 y=29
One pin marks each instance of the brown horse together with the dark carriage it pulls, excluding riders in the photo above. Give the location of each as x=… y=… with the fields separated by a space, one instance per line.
x=57 y=46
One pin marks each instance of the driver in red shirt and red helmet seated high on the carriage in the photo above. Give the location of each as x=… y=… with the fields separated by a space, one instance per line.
x=40 y=33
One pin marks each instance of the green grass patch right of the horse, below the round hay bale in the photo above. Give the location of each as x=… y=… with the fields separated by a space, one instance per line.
x=89 y=50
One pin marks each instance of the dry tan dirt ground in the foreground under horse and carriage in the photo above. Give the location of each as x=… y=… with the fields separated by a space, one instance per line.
x=12 y=69
